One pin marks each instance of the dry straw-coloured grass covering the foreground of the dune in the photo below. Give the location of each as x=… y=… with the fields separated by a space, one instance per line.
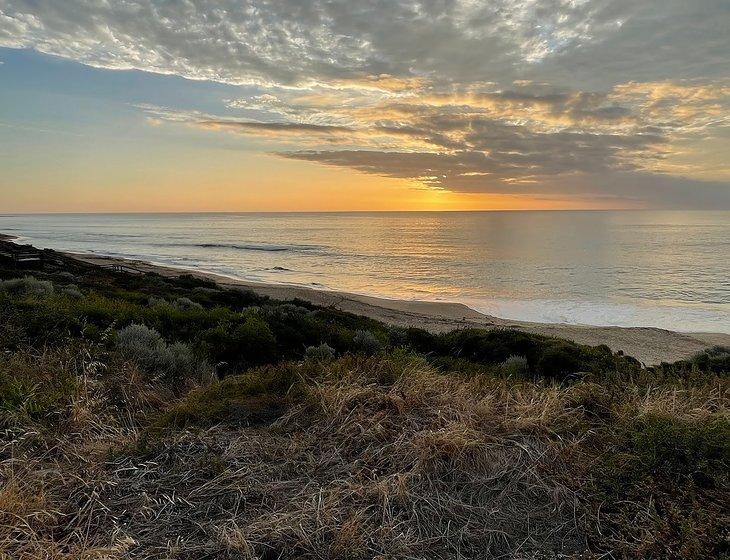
x=376 y=461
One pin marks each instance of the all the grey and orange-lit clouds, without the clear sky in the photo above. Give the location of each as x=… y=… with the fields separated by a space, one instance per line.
x=596 y=97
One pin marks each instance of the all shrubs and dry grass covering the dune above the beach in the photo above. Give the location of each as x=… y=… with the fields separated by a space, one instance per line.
x=152 y=417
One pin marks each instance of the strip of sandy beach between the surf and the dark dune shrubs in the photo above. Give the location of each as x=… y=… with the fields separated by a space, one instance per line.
x=649 y=345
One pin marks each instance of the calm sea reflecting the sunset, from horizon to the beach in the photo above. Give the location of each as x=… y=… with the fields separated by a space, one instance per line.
x=634 y=268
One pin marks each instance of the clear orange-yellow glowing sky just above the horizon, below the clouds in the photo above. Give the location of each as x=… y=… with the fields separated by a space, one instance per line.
x=245 y=182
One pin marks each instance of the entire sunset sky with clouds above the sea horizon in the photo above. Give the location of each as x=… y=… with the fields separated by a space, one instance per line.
x=279 y=105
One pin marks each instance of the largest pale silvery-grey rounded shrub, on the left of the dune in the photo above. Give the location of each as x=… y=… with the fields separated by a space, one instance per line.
x=148 y=349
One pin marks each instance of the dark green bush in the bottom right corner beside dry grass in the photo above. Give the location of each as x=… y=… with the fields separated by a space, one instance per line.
x=663 y=487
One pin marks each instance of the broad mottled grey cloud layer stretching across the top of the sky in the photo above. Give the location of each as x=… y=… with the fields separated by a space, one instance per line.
x=595 y=42
